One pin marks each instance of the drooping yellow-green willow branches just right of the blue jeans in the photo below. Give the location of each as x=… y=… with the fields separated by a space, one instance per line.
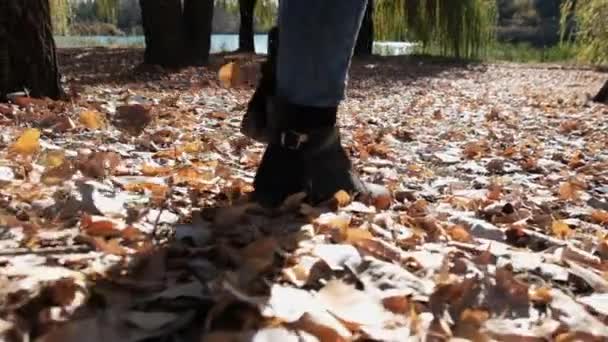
x=460 y=28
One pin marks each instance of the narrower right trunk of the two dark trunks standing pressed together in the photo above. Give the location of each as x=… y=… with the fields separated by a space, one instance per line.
x=198 y=18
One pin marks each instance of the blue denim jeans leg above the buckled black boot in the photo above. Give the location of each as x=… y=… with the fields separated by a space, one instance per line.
x=317 y=39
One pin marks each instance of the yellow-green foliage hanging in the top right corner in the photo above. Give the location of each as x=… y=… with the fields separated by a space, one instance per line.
x=591 y=34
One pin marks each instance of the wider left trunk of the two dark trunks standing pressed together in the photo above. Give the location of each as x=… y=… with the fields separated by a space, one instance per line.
x=163 y=29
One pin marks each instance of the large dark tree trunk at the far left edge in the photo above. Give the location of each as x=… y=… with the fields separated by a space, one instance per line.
x=27 y=49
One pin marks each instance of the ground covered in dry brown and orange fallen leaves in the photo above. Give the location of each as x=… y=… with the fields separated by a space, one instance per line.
x=122 y=211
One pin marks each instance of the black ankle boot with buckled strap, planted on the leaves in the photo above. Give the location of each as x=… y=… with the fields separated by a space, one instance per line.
x=305 y=155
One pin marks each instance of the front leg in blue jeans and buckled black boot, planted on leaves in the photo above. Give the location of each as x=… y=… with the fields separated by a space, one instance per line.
x=317 y=38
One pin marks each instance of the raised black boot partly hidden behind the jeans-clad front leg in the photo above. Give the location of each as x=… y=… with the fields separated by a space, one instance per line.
x=254 y=123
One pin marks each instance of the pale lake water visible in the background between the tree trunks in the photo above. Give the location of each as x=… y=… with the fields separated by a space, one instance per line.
x=219 y=43
